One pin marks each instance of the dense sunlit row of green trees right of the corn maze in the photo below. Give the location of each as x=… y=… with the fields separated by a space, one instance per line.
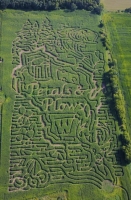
x=120 y=109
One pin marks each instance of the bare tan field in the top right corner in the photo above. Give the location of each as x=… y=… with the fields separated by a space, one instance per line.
x=114 y=5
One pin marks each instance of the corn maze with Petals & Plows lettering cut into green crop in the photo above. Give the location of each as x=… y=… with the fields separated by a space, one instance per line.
x=62 y=130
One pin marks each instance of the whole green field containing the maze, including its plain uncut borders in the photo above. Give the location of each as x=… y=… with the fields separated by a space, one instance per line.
x=59 y=140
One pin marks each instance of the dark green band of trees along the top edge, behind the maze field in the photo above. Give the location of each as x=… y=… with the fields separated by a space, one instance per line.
x=90 y=5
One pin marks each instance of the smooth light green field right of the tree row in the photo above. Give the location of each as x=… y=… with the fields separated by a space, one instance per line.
x=119 y=30
